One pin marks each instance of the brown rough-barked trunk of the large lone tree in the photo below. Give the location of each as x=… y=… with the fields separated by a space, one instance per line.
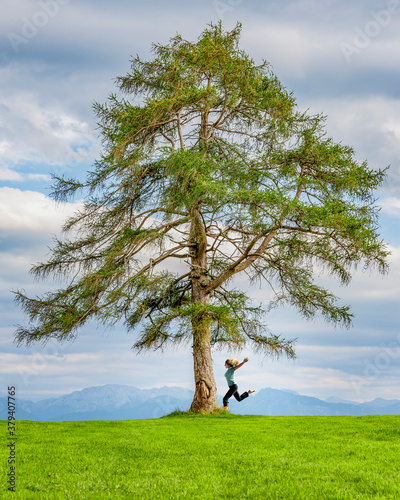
x=205 y=396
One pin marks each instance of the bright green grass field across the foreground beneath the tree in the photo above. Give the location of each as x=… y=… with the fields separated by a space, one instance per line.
x=207 y=457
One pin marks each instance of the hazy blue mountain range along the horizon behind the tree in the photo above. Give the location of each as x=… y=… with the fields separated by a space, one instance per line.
x=122 y=402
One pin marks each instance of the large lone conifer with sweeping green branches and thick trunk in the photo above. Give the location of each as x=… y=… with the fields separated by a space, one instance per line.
x=208 y=170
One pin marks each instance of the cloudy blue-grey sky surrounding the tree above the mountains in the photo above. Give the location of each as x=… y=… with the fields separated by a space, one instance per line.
x=58 y=57
